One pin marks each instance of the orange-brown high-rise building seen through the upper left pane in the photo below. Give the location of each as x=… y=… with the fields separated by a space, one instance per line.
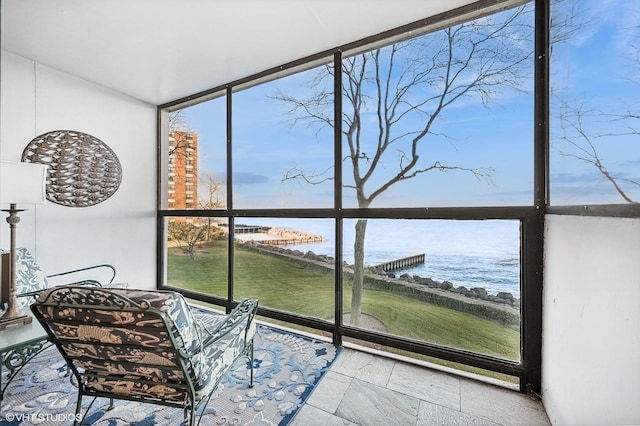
x=183 y=170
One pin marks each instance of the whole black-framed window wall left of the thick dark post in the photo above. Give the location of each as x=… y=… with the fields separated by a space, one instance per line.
x=382 y=194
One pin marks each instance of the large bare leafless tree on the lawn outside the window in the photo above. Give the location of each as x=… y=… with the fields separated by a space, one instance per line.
x=394 y=97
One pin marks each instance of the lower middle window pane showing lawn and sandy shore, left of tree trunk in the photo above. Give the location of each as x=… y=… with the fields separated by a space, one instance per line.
x=274 y=262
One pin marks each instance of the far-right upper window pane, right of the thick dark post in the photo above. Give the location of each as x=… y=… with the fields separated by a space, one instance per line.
x=595 y=107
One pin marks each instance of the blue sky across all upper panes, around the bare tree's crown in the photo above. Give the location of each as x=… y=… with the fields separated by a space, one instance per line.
x=594 y=67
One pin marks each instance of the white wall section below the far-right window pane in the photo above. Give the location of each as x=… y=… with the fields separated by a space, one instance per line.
x=591 y=321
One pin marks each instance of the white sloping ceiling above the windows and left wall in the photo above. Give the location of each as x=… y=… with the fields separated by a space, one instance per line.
x=162 y=50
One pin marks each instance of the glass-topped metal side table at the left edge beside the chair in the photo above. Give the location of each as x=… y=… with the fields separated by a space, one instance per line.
x=18 y=345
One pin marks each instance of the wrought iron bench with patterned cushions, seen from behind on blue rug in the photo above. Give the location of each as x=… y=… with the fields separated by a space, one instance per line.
x=144 y=345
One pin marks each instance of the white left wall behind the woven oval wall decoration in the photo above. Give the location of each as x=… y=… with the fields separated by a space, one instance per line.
x=121 y=230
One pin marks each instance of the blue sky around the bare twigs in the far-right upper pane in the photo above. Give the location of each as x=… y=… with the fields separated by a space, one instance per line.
x=598 y=71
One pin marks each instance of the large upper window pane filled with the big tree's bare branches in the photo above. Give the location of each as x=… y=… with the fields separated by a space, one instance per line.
x=444 y=119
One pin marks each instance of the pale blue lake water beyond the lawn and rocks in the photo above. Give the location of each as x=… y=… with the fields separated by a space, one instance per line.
x=470 y=253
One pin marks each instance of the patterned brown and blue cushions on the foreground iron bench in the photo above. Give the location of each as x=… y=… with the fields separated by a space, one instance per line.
x=152 y=368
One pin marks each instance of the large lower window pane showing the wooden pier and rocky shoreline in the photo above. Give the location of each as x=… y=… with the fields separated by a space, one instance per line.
x=450 y=282
